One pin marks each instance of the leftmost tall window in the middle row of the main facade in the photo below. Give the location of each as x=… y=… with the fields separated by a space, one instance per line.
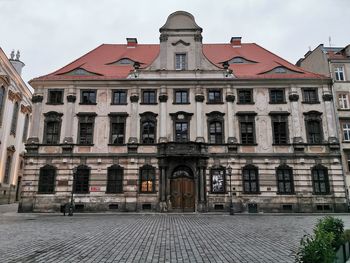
x=52 y=127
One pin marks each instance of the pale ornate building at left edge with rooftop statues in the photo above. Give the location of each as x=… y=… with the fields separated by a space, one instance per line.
x=15 y=115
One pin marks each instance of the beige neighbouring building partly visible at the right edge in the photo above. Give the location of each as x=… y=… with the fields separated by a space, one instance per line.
x=334 y=62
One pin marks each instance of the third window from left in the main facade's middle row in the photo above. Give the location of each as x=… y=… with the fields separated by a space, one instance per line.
x=117 y=125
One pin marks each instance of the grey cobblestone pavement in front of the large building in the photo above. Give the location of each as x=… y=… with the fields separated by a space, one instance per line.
x=151 y=237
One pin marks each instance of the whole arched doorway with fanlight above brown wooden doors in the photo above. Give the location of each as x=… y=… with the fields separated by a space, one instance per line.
x=182 y=189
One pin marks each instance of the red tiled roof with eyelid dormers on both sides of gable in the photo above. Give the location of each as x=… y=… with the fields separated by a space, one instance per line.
x=98 y=62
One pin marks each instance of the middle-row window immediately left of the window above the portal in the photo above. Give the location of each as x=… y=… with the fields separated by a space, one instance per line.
x=148 y=127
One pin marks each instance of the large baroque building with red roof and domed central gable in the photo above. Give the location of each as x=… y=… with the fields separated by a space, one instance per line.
x=183 y=126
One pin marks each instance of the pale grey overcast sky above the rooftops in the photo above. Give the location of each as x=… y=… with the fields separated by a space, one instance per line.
x=52 y=33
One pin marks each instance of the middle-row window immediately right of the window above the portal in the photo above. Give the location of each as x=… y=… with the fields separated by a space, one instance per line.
x=215 y=127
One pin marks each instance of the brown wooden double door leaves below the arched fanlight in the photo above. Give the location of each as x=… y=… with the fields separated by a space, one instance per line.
x=182 y=194
